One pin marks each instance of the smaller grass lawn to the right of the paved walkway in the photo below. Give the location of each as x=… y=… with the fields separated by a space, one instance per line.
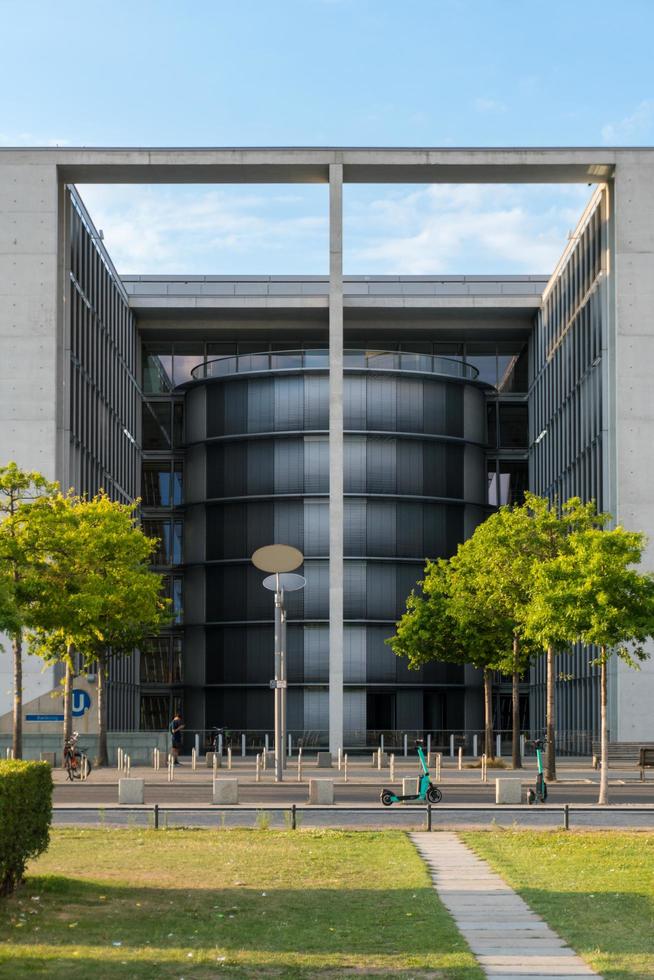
x=595 y=889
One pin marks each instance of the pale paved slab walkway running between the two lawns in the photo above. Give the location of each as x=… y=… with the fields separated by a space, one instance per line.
x=507 y=937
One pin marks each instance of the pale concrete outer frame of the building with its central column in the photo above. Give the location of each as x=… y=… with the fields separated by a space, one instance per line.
x=33 y=303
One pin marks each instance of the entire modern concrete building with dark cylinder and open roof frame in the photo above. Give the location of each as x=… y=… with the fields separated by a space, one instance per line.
x=370 y=421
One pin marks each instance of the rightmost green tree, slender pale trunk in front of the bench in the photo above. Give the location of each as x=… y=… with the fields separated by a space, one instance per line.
x=596 y=596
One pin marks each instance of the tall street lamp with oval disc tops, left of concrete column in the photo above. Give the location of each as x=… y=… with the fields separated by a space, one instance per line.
x=280 y=559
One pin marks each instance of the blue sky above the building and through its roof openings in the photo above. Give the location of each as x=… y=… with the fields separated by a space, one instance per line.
x=329 y=72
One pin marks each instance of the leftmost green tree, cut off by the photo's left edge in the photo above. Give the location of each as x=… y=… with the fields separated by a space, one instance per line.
x=18 y=490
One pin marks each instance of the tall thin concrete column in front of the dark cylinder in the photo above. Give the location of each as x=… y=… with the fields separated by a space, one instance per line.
x=335 y=457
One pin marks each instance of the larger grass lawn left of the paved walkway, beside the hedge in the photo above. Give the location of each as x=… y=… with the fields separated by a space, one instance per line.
x=139 y=904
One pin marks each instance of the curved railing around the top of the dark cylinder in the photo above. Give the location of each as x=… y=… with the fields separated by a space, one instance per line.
x=372 y=360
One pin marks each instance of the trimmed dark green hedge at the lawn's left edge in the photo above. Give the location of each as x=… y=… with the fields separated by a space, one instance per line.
x=25 y=815
